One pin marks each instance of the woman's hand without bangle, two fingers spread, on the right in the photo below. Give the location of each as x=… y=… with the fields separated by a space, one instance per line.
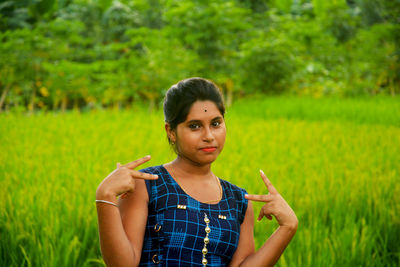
x=275 y=206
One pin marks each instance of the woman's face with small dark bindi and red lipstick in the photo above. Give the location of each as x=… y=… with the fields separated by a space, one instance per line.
x=201 y=137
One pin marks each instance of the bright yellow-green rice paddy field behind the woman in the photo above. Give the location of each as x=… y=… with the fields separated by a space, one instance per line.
x=335 y=161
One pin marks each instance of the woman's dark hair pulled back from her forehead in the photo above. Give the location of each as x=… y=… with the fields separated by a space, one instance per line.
x=180 y=97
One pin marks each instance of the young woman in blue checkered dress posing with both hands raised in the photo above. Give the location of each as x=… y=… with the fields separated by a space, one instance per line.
x=181 y=213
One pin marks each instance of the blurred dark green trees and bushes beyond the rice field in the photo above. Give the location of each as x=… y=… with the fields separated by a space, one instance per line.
x=87 y=54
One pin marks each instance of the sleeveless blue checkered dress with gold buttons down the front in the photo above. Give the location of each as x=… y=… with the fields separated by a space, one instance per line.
x=175 y=234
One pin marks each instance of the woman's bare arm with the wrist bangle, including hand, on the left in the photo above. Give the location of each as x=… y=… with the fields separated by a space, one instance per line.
x=121 y=229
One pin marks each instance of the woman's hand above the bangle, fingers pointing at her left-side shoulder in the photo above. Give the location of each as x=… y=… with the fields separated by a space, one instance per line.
x=122 y=180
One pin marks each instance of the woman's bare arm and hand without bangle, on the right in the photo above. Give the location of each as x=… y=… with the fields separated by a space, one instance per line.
x=273 y=248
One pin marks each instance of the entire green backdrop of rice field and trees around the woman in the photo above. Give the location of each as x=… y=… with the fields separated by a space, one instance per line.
x=333 y=154
